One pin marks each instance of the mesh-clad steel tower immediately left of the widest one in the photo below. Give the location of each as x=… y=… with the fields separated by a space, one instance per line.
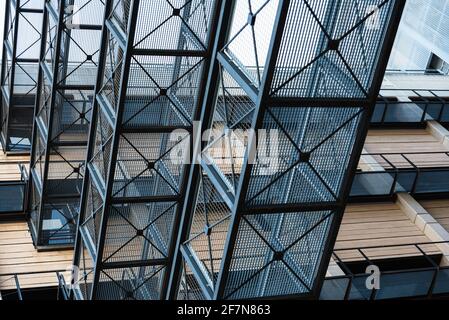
x=155 y=57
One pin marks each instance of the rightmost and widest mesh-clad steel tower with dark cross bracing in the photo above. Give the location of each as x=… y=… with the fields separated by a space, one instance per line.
x=267 y=202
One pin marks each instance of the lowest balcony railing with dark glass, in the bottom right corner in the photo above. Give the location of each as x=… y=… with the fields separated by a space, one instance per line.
x=423 y=281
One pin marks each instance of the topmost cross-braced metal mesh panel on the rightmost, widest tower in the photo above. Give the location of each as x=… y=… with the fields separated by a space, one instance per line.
x=342 y=53
